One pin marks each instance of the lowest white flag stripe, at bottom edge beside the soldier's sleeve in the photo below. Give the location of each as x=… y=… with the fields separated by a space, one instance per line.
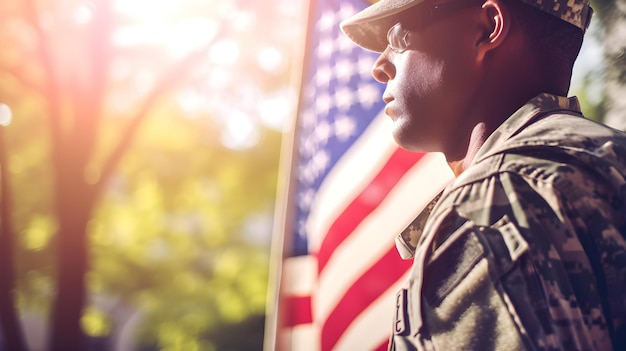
x=372 y=327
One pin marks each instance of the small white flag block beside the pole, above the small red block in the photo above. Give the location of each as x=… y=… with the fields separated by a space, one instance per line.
x=299 y=275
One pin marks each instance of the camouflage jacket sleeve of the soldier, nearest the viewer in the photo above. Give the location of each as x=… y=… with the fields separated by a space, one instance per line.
x=504 y=269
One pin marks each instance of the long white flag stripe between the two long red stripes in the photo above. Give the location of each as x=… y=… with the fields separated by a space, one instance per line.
x=375 y=234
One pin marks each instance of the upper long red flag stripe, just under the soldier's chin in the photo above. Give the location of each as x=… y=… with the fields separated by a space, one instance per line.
x=366 y=202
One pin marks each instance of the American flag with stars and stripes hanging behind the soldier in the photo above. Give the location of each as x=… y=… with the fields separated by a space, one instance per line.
x=354 y=191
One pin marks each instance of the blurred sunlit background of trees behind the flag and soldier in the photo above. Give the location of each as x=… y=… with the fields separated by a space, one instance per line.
x=139 y=150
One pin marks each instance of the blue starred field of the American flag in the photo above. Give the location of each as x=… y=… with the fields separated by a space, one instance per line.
x=339 y=82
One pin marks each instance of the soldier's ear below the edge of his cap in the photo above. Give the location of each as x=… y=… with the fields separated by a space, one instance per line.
x=495 y=23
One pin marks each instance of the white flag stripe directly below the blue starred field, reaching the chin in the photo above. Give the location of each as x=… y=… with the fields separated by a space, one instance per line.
x=349 y=176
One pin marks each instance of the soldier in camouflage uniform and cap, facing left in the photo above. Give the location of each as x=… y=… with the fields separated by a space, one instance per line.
x=526 y=248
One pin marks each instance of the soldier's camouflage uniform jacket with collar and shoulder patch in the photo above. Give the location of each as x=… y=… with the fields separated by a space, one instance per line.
x=525 y=250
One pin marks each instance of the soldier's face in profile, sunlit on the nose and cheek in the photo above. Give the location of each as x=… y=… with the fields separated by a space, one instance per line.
x=429 y=85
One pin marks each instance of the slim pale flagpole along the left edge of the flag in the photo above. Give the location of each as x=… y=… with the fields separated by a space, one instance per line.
x=284 y=213
